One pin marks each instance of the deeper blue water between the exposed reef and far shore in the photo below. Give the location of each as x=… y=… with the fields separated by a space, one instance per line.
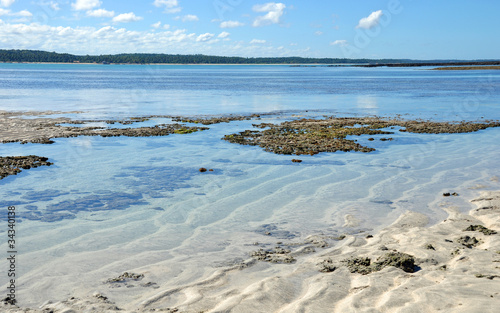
x=124 y=90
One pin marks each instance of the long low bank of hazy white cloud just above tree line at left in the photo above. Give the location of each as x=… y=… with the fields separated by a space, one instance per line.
x=113 y=39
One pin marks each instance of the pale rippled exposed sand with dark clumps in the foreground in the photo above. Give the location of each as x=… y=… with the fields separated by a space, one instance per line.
x=453 y=266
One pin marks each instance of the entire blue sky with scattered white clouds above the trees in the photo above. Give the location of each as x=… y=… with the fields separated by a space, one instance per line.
x=409 y=29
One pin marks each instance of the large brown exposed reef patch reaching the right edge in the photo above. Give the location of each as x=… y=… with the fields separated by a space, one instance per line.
x=312 y=136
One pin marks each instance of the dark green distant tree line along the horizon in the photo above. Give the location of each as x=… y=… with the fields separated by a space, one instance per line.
x=150 y=58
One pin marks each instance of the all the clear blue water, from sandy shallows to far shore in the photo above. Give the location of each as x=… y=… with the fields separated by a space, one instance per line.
x=110 y=205
